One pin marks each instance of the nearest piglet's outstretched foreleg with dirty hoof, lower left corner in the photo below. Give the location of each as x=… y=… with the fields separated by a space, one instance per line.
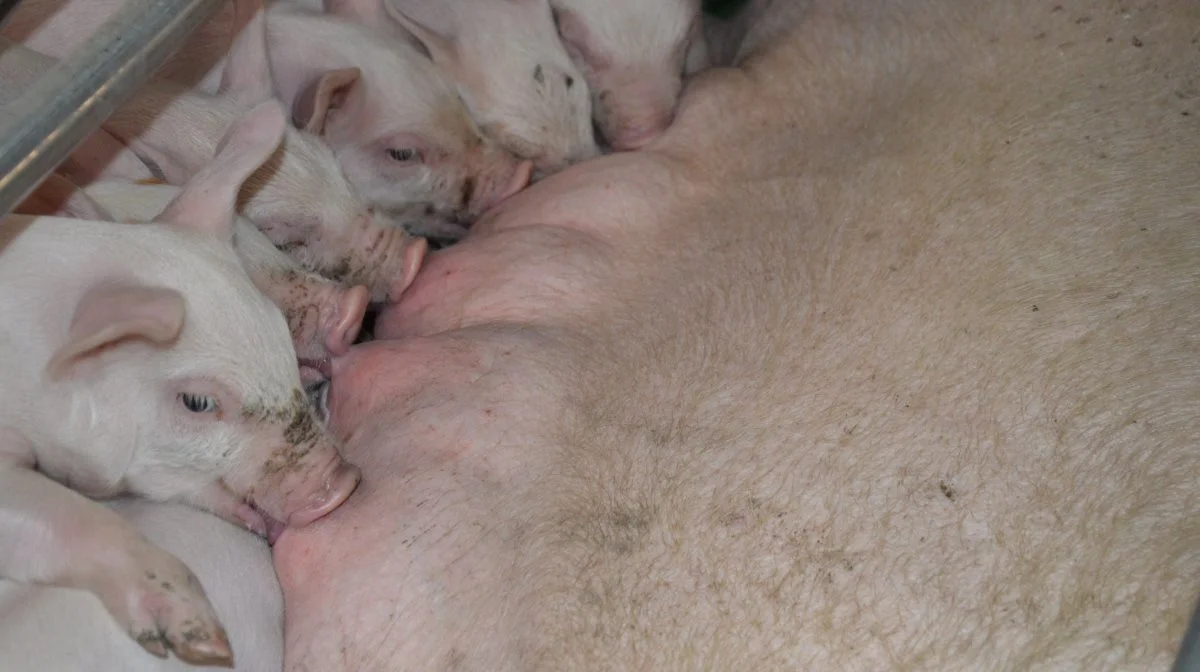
x=55 y=537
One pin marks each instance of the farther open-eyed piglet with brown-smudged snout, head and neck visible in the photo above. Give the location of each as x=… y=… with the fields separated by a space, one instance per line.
x=395 y=122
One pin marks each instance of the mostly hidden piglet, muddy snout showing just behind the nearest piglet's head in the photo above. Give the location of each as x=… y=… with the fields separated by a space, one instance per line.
x=323 y=316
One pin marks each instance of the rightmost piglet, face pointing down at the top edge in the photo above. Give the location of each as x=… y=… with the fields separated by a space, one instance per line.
x=634 y=56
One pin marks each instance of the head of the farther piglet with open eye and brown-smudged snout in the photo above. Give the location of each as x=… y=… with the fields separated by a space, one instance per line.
x=405 y=139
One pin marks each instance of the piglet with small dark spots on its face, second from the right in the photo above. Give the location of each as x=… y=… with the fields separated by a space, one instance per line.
x=509 y=67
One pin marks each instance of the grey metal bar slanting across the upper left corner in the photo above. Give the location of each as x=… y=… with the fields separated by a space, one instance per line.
x=56 y=115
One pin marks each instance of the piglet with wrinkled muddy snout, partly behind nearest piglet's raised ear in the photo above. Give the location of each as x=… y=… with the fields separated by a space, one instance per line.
x=301 y=199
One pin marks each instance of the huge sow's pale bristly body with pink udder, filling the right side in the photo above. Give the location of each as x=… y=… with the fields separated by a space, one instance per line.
x=907 y=382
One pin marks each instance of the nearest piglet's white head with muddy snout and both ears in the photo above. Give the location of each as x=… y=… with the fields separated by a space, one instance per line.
x=199 y=365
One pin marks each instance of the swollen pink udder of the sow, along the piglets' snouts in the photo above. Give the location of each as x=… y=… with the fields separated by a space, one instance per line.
x=451 y=421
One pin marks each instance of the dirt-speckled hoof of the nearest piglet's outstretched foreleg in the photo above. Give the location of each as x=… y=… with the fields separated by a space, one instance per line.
x=165 y=610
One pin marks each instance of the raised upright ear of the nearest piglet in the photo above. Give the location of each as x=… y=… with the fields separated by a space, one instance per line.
x=209 y=201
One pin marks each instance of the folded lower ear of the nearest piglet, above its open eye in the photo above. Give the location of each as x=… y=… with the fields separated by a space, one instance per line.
x=115 y=313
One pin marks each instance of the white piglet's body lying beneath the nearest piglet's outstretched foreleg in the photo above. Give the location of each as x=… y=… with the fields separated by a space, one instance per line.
x=233 y=565
